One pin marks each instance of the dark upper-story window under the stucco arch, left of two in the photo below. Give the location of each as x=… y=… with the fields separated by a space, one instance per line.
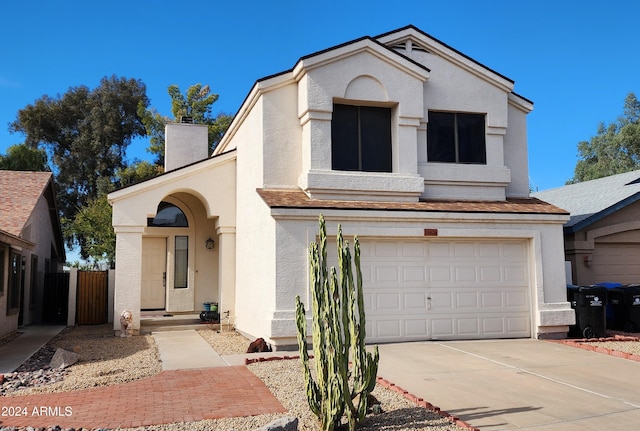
x=361 y=138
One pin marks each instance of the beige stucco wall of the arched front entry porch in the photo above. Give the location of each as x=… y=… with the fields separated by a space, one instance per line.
x=206 y=193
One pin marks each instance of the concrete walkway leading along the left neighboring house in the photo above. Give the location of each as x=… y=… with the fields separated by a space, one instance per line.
x=18 y=351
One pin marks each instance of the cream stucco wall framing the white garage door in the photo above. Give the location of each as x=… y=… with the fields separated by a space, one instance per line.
x=295 y=229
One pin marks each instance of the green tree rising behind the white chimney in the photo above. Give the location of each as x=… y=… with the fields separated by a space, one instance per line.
x=196 y=103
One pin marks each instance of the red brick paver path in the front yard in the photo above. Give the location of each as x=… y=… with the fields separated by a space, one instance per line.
x=171 y=396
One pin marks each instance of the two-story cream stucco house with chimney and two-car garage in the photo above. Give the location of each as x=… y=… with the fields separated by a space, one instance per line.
x=406 y=142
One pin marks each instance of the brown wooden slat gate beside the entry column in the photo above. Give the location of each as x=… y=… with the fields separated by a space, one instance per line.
x=92 y=298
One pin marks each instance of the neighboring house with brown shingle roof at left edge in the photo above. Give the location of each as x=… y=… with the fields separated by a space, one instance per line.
x=31 y=245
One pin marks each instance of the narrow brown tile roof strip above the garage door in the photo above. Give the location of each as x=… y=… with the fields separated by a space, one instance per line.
x=279 y=198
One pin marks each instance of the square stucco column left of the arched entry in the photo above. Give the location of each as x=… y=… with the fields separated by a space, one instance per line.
x=128 y=274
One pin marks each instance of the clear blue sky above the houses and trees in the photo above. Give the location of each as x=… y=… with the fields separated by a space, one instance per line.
x=576 y=60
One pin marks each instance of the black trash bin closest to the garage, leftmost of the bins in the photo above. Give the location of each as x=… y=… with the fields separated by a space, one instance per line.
x=589 y=303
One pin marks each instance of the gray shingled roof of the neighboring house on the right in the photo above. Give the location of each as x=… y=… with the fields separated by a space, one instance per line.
x=590 y=201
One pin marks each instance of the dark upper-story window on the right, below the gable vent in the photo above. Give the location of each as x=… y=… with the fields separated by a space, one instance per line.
x=456 y=138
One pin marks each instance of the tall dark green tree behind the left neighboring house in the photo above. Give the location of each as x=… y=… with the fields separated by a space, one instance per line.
x=85 y=133
